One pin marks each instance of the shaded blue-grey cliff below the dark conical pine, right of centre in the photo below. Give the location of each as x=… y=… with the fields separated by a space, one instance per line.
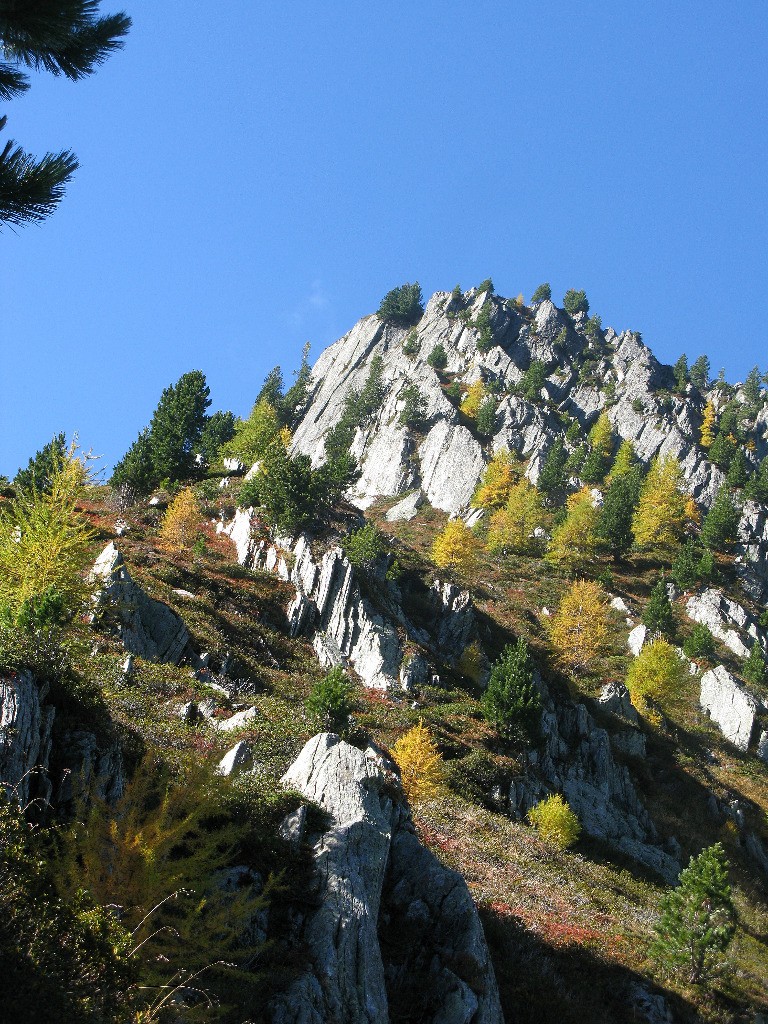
x=577 y=760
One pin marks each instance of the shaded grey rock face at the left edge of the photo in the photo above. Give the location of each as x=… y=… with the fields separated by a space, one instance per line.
x=25 y=738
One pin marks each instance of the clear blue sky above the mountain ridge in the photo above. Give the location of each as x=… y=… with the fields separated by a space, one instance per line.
x=255 y=176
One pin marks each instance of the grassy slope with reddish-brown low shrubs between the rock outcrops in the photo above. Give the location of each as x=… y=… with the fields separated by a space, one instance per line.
x=568 y=931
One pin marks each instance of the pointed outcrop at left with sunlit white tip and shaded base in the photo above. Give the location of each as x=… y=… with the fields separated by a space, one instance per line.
x=148 y=628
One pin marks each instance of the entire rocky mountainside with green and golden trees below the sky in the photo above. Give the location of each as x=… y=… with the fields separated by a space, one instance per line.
x=435 y=690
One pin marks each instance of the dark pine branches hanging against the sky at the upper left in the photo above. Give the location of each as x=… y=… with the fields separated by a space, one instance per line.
x=65 y=39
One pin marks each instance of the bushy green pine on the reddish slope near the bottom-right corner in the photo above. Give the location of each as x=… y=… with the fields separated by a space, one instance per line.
x=698 y=919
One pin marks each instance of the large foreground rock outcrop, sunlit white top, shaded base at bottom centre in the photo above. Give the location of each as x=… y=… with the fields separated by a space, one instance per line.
x=373 y=877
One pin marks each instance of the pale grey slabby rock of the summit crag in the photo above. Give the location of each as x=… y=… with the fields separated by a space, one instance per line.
x=446 y=459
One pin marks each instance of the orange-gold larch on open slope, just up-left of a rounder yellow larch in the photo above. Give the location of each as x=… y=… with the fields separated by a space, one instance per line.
x=579 y=630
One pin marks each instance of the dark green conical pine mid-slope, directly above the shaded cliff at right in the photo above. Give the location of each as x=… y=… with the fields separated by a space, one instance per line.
x=513 y=703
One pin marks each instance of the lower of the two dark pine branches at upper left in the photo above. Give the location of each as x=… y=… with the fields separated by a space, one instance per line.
x=30 y=189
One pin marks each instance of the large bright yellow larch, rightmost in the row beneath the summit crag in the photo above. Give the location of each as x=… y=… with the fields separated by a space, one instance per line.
x=662 y=511
